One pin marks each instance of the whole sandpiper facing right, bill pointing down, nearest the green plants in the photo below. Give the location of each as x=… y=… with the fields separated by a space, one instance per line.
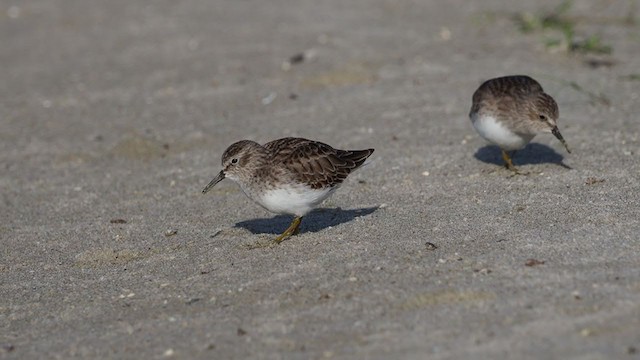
x=509 y=111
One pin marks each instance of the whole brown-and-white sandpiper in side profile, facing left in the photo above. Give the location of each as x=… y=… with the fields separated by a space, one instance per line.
x=289 y=175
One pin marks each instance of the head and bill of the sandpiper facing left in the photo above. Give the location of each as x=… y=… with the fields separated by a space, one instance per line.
x=237 y=162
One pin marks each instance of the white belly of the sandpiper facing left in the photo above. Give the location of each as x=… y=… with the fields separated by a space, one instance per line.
x=295 y=200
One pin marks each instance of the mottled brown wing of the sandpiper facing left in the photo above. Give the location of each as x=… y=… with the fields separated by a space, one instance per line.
x=319 y=165
